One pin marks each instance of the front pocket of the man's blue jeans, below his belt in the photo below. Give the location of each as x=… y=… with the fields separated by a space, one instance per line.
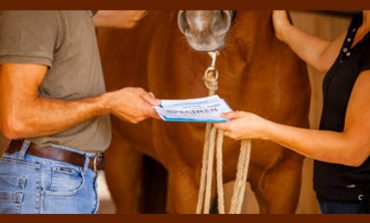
x=65 y=181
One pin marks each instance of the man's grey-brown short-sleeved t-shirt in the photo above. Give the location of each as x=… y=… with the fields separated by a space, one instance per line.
x=65 y=41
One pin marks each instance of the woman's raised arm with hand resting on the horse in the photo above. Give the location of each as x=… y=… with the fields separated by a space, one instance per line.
x=315 y=51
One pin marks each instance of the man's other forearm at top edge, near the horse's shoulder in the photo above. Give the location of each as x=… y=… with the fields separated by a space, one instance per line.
x=123 y=19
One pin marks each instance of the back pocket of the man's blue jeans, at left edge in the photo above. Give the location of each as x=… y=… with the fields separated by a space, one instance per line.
x=11 y=194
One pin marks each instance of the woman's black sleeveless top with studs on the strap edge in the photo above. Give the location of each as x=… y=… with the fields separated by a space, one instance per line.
x=333 y=181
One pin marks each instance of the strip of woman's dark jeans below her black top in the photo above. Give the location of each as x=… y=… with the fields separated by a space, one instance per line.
x=335 y=207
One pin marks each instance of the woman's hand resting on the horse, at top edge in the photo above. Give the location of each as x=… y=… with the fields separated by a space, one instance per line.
x=281 y=23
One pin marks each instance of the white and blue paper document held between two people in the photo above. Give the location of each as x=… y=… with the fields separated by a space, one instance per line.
x=208 y=109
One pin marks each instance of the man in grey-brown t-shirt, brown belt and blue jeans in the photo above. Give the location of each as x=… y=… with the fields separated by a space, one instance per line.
x=54 y=108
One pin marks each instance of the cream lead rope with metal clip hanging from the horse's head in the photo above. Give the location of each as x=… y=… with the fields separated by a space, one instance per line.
x=210 y=142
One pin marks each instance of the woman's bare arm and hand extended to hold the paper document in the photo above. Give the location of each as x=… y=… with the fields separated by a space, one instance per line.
x=350 y=147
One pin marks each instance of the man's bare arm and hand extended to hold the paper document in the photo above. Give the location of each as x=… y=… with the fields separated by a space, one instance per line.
x=23 y=113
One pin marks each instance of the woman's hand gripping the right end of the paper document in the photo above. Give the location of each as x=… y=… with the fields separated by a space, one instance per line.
x=244 y=125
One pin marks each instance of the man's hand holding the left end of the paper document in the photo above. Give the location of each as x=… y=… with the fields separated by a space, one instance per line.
x=132 y=104
